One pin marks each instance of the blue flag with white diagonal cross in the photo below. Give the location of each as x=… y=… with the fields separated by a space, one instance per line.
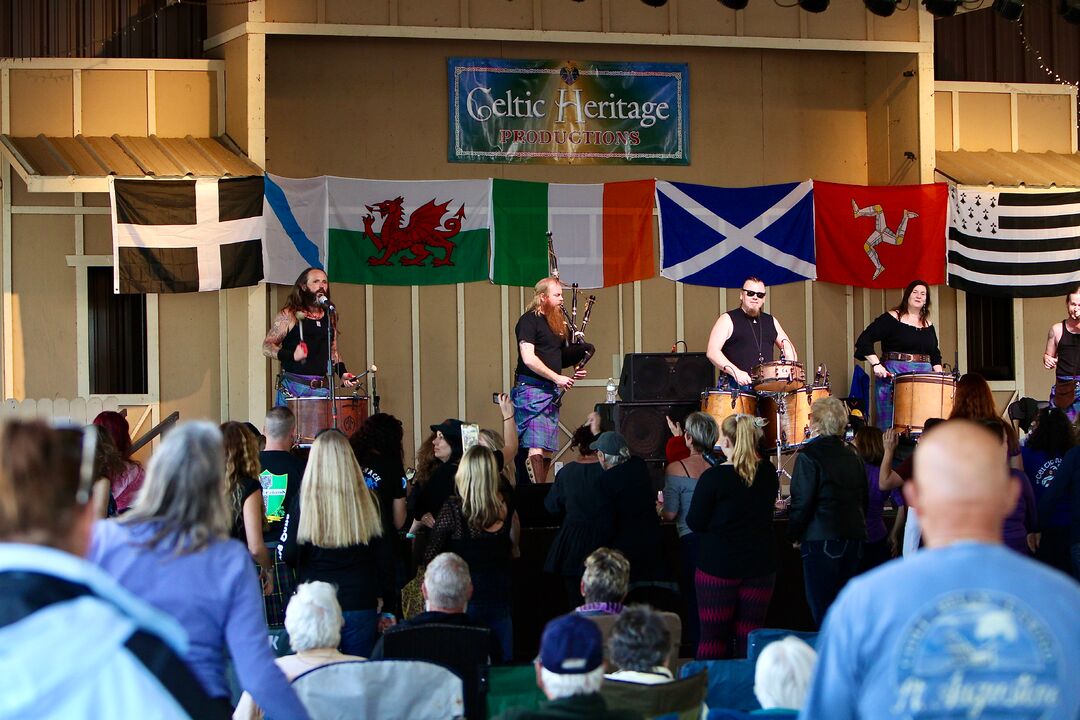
x=719 y=237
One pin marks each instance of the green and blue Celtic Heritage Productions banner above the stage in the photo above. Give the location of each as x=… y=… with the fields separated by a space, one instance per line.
x=553 y=112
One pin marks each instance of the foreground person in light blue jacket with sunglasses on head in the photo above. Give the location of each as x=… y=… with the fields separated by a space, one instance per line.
x=73 y=643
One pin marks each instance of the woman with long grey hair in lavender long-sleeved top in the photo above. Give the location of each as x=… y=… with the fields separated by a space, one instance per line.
x=173 y=551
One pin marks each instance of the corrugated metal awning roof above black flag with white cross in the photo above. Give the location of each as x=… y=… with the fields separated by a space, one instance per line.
x=78 y=158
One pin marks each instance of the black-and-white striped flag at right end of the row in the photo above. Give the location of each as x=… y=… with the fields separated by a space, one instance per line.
x=1021 y=244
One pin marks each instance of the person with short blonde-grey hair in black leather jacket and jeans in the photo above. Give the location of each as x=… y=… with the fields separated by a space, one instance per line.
x=828 y=520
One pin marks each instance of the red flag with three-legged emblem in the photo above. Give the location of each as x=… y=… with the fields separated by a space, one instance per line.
x=881 y=237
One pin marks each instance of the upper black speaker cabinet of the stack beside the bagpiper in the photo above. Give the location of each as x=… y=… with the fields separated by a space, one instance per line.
x=666 y=377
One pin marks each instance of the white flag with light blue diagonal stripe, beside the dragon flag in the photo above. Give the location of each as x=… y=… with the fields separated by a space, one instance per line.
x=295 y=212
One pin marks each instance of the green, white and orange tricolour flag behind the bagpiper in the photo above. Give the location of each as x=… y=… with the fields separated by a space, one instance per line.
x=602 y=234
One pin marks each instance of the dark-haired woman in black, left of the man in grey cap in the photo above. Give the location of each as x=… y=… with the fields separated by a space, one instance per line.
x=587 y=524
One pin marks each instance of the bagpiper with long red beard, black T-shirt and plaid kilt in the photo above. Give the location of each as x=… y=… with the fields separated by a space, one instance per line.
x=544 y=350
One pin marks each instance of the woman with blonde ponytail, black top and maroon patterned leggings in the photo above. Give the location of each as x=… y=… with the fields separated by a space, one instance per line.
x=732 y=512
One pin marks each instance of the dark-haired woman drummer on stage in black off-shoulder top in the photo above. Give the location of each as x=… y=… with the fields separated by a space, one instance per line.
x=909 y=345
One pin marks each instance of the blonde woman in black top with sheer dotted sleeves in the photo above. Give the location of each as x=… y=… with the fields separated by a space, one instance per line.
x=476 y=523
